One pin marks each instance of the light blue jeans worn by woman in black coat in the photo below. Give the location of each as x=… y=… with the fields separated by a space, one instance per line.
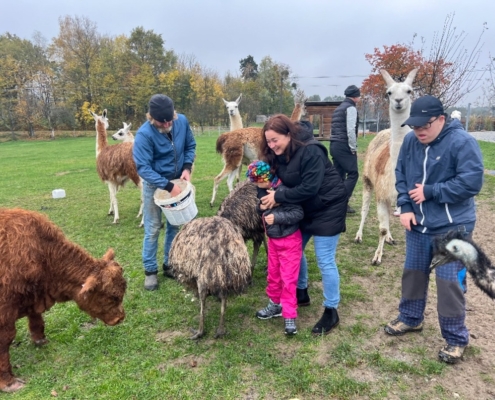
x=325 y=249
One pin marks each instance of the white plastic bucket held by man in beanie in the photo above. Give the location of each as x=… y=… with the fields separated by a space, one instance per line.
x=179 y=209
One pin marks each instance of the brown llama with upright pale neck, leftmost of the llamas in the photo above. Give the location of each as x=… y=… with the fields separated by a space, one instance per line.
x=114 y=164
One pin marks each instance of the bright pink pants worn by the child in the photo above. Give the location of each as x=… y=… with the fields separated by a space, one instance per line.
x=284 y=260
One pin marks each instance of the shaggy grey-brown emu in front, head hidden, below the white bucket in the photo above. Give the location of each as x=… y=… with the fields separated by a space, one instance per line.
x=209 y=256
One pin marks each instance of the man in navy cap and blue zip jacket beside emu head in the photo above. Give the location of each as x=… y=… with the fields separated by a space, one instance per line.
x=439 y=171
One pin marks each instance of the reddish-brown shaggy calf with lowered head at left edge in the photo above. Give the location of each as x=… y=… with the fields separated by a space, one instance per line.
x=40 y=267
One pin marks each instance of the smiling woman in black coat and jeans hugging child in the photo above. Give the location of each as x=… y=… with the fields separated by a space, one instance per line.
x=302 y=163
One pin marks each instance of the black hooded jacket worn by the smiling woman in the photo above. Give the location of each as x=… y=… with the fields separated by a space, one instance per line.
x=313 y=182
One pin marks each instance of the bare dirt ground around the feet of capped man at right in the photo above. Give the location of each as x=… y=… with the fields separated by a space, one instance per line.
x=474 y=377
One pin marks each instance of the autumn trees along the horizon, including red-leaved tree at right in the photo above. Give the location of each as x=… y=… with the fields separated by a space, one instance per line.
x=52 y=86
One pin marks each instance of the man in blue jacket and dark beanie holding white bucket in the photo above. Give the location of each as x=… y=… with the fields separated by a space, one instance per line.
x=164 y=149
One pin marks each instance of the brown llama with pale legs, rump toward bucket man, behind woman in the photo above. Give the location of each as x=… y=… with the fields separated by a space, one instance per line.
x=241 y=146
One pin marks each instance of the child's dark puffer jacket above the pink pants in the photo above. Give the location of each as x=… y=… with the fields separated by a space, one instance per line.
x=287 y=217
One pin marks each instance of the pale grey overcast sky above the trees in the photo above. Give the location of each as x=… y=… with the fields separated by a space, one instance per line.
x=323 y=41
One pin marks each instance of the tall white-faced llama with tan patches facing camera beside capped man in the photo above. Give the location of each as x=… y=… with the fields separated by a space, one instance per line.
x=381 y=159
